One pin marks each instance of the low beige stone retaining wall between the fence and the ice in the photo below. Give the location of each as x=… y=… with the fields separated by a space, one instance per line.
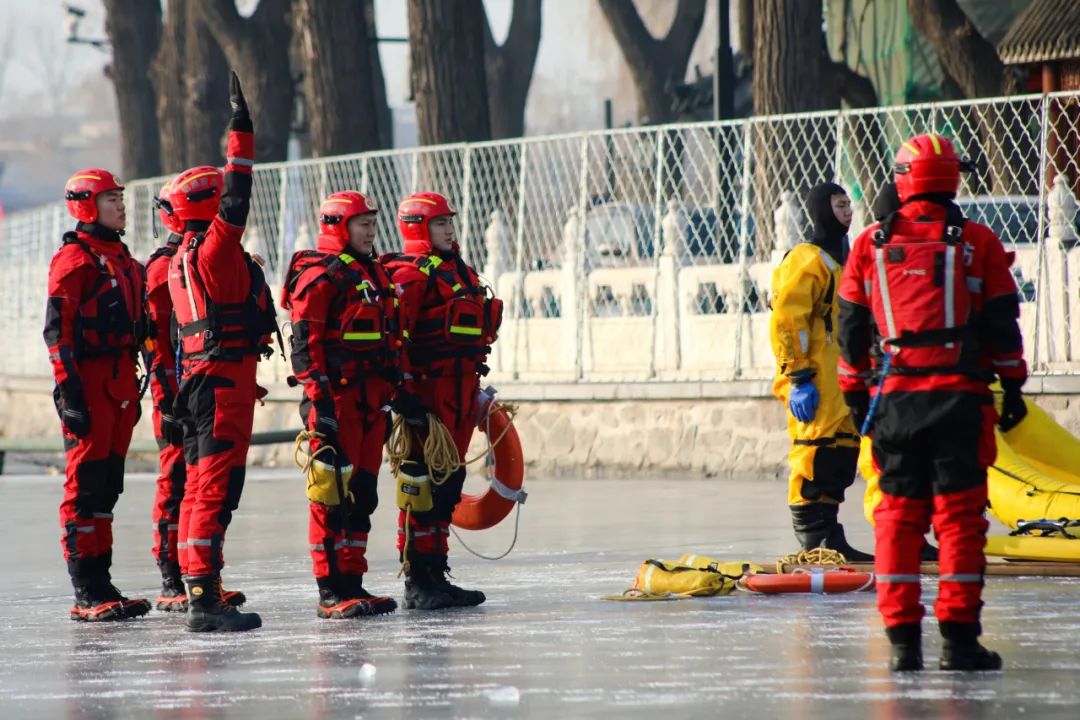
x=722 y=429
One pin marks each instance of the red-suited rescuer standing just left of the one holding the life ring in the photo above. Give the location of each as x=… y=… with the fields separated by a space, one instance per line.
x=346 y=349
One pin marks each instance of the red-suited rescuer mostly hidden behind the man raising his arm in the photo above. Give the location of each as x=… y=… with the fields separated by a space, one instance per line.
x=168 y=430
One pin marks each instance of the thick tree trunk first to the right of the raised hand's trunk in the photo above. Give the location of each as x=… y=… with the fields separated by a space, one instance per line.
x=343 y=114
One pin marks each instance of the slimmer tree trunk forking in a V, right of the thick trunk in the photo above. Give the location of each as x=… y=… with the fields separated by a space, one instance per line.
x=510 y=69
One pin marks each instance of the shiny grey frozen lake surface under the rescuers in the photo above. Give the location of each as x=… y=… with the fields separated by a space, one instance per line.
x=544 y=646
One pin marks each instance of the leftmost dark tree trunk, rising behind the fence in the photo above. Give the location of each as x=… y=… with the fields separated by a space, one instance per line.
x=134 y=31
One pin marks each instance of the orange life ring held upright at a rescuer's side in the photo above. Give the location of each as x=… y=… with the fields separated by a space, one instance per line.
x=508 y=477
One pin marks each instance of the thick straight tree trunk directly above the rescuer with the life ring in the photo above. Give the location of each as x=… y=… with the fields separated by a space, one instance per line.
x=447 y=52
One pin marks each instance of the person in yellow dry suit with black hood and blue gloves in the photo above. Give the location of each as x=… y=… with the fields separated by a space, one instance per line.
x=803 y=330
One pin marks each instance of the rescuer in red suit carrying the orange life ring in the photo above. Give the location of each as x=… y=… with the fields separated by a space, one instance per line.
x=450 y=321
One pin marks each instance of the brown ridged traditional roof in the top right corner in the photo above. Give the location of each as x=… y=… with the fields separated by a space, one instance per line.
x=1047 y=31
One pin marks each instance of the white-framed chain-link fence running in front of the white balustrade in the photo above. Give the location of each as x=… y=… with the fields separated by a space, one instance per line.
x=647 y=253
